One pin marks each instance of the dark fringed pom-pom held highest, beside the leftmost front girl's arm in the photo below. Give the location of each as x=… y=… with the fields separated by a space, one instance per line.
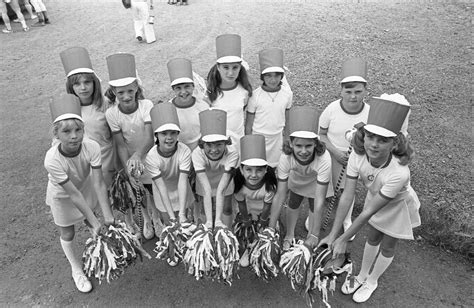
x=126 y=194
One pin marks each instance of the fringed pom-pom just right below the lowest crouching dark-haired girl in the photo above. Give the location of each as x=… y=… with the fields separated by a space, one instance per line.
x=265 y=254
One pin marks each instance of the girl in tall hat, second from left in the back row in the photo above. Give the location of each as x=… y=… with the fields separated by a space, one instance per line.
x=130 y=123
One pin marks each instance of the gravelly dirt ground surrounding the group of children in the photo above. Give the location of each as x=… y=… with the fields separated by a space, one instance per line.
x=419 y=49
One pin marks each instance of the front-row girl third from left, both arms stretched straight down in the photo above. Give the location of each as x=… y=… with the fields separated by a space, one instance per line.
x=214 y=162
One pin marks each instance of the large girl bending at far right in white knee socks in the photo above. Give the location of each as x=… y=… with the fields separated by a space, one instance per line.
x=380 y=158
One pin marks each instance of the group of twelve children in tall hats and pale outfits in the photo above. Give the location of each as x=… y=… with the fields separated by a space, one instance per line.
x=235 y=150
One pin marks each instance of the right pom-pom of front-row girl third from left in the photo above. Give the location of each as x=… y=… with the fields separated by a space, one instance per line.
x=227 y=254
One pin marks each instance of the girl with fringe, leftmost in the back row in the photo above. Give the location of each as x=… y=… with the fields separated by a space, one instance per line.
x=84 y=83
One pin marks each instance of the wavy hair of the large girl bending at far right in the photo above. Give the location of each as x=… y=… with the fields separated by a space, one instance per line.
x=403 y=149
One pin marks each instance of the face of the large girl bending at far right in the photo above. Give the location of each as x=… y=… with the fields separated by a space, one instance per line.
x=378 y=148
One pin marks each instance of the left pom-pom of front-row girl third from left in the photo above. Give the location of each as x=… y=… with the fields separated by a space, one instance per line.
x=200 y=256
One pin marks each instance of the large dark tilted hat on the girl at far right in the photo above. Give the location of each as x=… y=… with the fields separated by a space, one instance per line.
x=386 y=117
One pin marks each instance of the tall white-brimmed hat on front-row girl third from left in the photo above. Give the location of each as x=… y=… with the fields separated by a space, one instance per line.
x=213 y=124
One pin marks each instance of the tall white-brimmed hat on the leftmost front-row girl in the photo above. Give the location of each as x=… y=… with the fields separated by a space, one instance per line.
x=66 y=106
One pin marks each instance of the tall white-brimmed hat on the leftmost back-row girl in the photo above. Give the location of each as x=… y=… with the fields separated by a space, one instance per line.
x=76 y=60
